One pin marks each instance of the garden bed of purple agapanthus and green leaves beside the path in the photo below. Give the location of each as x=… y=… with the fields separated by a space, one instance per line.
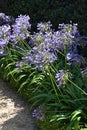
x=48 y=68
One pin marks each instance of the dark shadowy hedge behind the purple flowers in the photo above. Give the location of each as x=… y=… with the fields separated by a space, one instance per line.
x=57 y=11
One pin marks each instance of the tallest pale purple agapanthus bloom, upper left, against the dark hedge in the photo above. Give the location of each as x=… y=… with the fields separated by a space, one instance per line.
x=20 y=28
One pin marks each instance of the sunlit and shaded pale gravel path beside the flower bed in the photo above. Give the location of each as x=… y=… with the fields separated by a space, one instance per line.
x=14 y=112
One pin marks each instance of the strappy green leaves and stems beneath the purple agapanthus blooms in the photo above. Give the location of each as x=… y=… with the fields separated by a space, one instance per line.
x=65 y=106
